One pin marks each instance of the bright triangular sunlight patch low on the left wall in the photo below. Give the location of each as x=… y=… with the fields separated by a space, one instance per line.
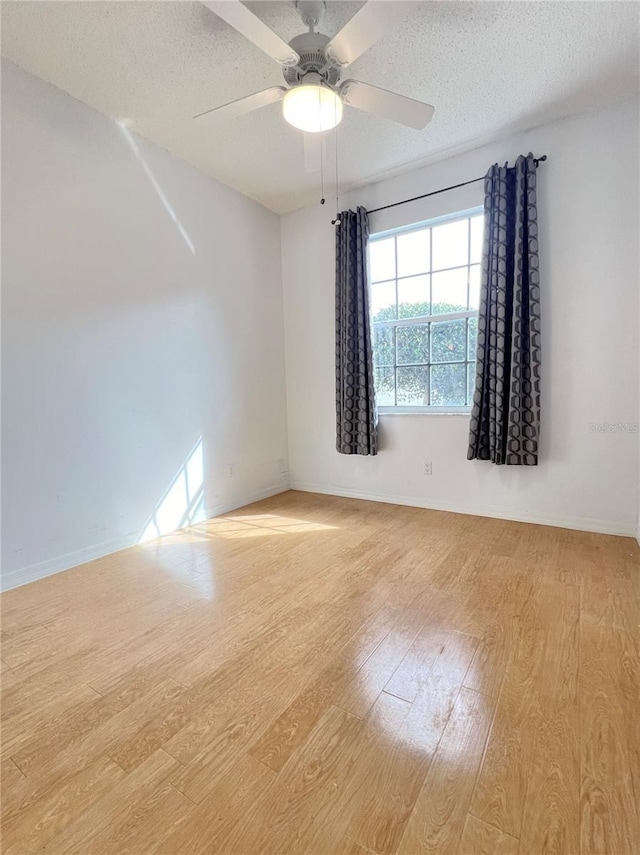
x=183 y=502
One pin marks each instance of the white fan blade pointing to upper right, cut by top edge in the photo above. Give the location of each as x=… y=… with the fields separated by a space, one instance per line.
x=364 y=30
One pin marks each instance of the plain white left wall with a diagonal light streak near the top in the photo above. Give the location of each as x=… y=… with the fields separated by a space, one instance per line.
x=142 y=311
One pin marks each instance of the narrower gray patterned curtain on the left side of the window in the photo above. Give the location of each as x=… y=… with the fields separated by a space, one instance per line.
x=356 y=417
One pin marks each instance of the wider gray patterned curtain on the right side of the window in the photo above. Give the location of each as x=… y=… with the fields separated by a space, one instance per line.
x=505 y=417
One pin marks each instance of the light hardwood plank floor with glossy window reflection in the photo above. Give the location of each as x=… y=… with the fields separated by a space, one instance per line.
x=321 y=675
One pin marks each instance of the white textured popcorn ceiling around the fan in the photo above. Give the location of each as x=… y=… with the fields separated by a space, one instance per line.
x=487 y=67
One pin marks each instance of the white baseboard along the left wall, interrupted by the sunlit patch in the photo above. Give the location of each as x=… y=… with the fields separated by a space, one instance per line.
x=33 y=572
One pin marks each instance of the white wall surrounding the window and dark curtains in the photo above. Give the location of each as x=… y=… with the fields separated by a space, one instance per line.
x=588 y=216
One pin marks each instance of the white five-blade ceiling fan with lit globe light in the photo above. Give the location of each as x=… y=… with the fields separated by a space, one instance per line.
x=312 y=65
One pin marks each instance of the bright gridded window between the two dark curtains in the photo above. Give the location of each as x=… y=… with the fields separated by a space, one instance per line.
x=425 y=288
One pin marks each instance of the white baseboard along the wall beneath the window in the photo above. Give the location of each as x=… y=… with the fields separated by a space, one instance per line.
x=577 y=523
